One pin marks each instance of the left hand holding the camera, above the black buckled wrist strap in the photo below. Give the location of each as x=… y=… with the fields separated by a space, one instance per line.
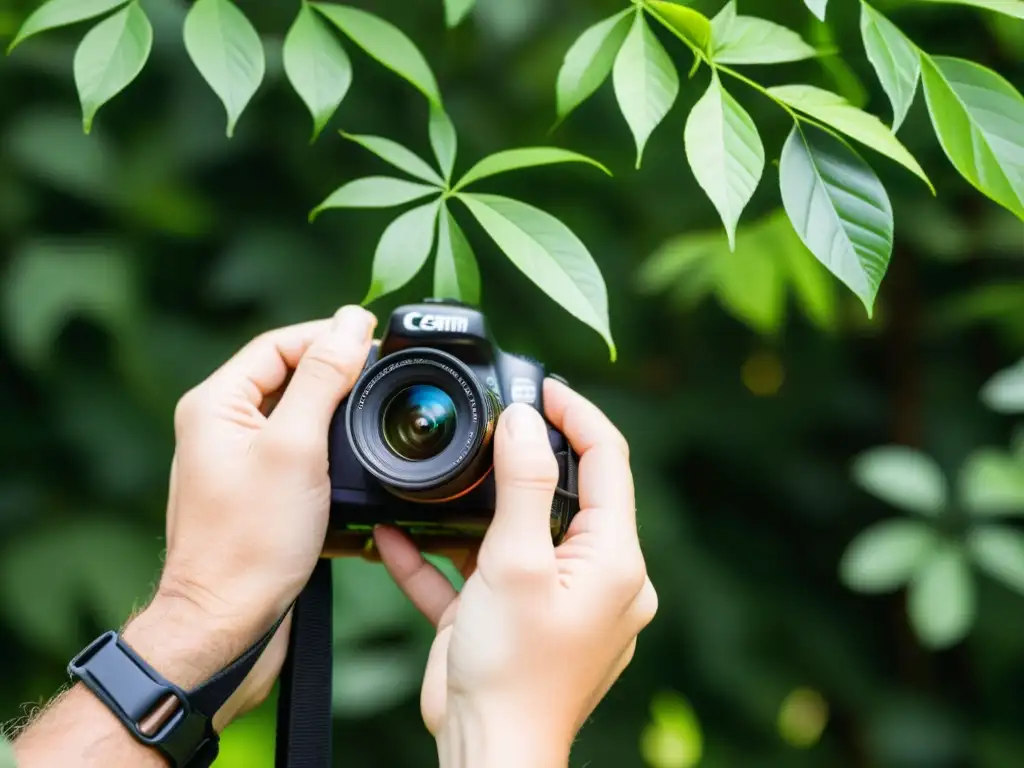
x=250 y=494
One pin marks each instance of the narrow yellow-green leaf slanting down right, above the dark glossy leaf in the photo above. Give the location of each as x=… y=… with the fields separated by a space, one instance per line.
x=836 y=112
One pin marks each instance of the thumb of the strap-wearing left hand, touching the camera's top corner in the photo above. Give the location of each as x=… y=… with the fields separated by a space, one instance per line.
x=327 y=372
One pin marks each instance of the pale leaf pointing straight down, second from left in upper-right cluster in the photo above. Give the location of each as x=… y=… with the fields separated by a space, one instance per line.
x=647 y=82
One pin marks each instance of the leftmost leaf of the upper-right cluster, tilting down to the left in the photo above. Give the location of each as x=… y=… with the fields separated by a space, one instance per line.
x=588 y=62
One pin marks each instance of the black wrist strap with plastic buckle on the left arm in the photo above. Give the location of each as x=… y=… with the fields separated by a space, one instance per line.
x=136 y=693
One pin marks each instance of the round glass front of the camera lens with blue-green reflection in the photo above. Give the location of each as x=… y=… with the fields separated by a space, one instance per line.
x=419 y=422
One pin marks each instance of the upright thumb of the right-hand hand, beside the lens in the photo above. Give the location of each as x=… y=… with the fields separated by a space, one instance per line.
x=519 y=542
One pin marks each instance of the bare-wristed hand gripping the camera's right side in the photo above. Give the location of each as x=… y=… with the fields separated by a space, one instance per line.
x=539 y=634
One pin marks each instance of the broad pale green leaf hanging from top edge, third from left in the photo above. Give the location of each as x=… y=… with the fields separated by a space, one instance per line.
x=228 y=53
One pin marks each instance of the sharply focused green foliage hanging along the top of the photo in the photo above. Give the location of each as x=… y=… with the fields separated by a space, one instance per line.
x=837 y=204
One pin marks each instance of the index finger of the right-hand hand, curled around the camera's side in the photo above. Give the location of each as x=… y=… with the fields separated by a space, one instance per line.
x=606 y=480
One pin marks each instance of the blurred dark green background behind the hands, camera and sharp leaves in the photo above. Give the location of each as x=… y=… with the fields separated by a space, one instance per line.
x=137 y=260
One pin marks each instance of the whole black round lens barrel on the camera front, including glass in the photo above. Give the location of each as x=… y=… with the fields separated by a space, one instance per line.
x=421 y=423
